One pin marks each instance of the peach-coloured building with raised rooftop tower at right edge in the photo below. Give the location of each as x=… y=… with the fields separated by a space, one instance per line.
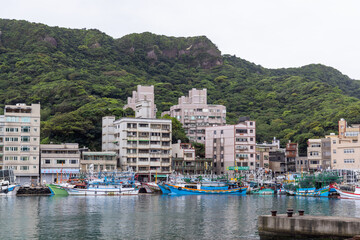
x=345 y=147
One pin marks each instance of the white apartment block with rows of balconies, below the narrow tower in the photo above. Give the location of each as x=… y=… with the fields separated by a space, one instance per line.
x=141 y=144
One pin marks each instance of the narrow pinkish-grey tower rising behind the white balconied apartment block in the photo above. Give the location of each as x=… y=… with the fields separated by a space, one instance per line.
x=143 y=102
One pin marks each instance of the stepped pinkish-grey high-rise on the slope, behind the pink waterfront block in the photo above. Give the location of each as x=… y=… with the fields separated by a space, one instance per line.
x=195 y=114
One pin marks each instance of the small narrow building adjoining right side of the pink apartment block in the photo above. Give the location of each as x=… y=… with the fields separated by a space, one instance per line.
x=262 y=153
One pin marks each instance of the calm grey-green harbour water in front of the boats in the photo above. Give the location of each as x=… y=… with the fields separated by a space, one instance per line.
x=152 y=217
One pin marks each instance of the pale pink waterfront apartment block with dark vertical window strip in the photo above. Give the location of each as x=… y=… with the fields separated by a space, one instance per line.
x=231 y=145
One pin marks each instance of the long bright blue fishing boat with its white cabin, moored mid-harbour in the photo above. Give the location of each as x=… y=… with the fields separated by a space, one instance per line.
x=195 y=189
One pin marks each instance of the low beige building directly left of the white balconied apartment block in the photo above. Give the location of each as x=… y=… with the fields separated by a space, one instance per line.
x=98 y=161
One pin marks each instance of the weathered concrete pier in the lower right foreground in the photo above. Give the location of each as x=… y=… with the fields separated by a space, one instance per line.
x=307 y=227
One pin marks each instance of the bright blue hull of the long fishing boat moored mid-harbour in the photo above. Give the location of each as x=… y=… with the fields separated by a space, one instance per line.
x=189 y=191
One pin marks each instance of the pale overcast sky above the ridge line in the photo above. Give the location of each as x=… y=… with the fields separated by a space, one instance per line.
x=272 y=33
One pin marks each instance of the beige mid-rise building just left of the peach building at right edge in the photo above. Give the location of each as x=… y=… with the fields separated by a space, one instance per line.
x=319 y=154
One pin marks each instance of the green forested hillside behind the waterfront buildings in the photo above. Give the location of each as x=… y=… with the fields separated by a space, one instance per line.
x=80 y=75
